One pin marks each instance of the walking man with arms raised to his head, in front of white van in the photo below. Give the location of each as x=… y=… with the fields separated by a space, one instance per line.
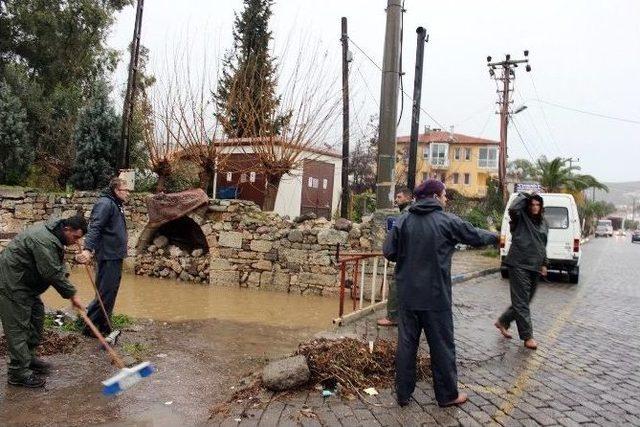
x=526 y=260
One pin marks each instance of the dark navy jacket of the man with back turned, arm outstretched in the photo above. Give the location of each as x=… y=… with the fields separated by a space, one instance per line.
x=421 y=244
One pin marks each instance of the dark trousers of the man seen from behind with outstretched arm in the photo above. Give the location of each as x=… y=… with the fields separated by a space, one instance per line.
x=438 y=328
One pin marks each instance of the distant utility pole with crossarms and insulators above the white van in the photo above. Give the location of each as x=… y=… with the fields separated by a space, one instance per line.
x=507 y=76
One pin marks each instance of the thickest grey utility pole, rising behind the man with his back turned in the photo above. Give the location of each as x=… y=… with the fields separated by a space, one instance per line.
x=385 y=177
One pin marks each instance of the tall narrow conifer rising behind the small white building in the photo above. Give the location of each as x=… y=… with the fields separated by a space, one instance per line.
x=246 y=98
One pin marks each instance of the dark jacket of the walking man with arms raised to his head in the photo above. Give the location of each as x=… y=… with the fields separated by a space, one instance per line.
x=528 y=240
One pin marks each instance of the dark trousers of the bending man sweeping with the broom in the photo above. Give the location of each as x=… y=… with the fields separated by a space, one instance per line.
x=22 y=323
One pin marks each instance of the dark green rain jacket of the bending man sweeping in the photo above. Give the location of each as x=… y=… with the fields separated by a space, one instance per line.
x=33 y=261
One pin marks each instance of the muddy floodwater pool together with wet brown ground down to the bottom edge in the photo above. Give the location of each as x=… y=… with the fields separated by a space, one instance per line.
x=202 y=340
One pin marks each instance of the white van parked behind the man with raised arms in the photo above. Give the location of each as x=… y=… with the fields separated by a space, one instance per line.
x=563 y=245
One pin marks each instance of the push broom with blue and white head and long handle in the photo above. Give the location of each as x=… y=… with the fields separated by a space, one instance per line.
x=127 y=377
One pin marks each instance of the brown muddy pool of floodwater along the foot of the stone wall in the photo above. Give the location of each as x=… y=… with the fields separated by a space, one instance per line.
x=167 y=300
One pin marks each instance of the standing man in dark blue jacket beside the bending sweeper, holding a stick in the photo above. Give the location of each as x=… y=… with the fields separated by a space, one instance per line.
x=106 y=240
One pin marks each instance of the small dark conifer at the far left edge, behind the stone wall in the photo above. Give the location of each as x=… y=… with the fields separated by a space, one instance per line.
x=17 y=155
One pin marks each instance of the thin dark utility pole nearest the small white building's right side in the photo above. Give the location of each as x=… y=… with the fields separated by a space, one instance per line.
x=346 y=58
